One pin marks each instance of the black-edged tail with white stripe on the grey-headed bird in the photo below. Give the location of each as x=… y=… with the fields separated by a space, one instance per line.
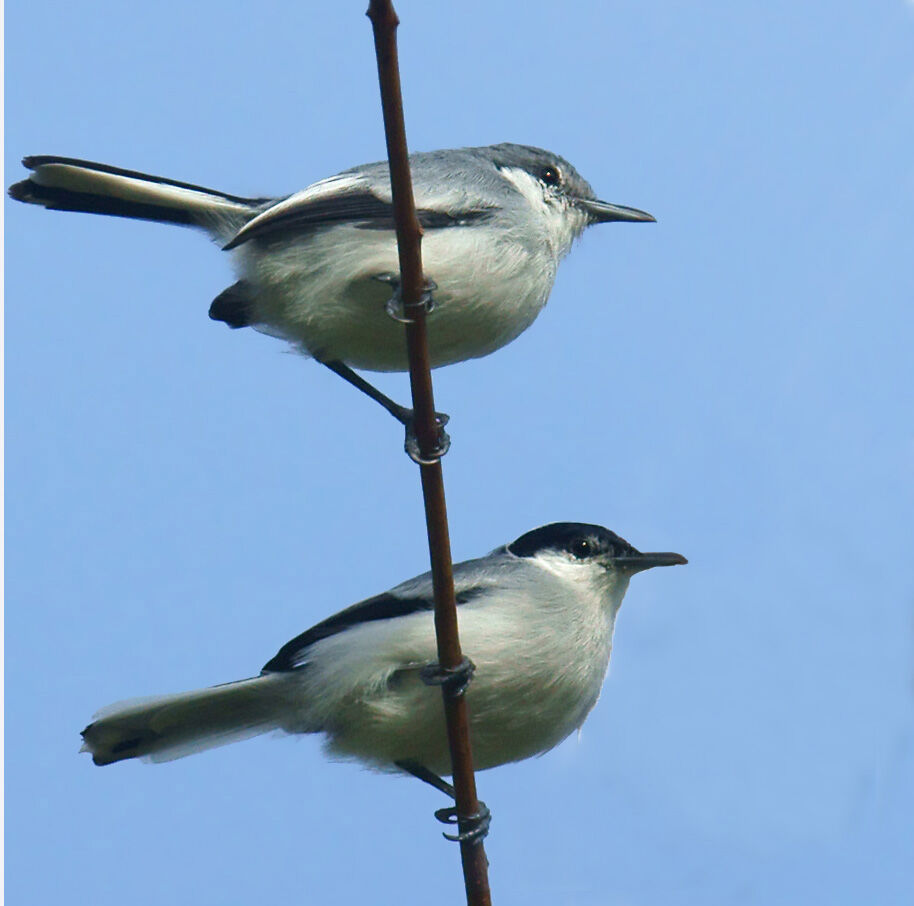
x=66 y=184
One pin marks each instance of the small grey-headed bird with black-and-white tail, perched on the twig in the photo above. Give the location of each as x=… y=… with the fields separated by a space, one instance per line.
x=317 y=268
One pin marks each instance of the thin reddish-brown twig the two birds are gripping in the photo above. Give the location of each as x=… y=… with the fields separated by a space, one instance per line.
x=409 y=236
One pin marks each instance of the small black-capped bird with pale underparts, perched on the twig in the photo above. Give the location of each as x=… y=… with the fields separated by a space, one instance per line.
x=536 y=621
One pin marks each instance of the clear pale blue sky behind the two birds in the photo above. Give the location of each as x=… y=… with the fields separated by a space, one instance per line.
x=734 y=382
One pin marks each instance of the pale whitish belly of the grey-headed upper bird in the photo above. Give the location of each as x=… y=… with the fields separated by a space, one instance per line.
x=477 y=310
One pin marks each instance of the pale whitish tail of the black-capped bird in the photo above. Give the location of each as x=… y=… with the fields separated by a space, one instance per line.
x=172 y=726
